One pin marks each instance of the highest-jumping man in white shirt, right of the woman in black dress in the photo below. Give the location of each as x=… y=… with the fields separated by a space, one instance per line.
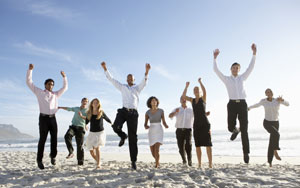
x=237 y=106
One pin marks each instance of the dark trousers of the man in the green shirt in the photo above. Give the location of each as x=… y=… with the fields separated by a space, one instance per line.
x=78 y=132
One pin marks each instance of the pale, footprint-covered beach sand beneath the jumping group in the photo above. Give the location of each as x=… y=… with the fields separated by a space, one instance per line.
x=19 y=169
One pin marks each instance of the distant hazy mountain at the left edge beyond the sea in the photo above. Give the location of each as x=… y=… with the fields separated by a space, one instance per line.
x=8 y=131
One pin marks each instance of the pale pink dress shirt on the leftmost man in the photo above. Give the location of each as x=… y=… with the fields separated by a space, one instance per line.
x=48 y=101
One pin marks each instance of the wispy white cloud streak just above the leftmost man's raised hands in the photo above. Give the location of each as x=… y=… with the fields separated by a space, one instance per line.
x=42 y=51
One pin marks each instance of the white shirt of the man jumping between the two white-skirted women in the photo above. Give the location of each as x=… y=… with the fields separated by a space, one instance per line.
x=130 y=94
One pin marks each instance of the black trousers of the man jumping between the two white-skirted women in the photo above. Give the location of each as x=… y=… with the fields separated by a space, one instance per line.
x=131 y=117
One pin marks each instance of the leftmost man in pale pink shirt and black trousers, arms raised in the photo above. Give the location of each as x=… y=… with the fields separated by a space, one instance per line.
x=48 y=105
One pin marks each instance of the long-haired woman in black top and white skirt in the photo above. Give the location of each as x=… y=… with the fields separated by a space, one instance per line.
x=97 y=136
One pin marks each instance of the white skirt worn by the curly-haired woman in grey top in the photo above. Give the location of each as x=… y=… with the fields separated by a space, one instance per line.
x=155 y=134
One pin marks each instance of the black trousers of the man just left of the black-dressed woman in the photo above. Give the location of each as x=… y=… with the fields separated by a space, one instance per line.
x=184 y=142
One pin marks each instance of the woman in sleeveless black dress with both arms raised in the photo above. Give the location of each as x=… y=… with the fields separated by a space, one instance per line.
x=202 y=134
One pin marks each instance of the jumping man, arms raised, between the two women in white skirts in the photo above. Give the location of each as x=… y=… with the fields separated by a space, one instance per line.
x=130 y=97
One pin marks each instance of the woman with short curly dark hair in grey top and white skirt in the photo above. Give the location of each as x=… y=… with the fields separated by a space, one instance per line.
x=156 y=132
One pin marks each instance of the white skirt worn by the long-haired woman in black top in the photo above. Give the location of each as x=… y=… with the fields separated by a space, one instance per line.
x=95 y=139
